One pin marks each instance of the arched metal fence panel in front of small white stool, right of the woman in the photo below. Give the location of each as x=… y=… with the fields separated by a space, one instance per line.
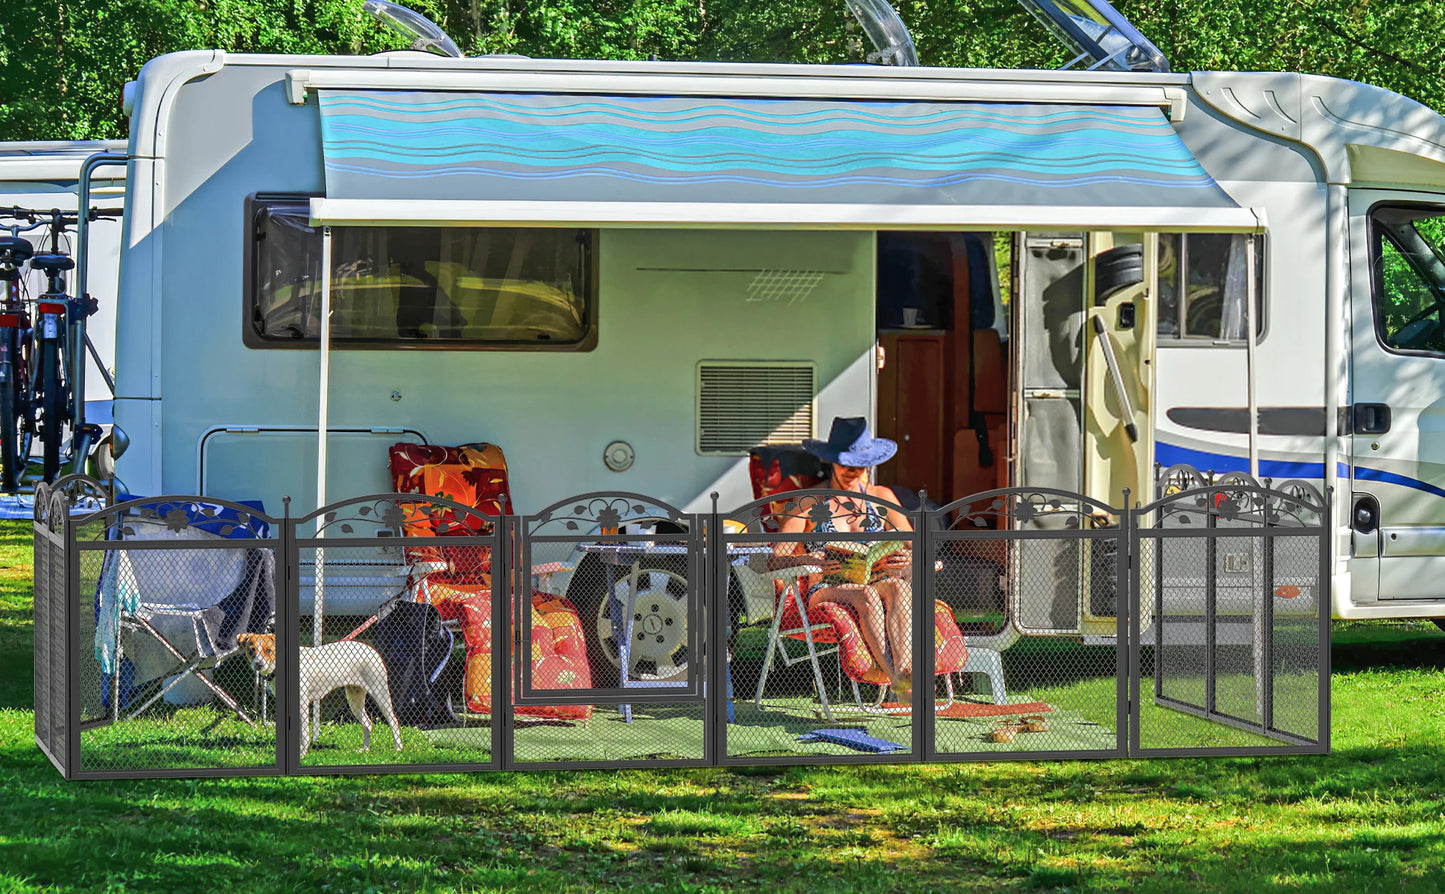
x=1031 y=691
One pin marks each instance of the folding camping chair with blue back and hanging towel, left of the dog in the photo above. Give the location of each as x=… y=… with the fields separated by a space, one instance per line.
x=180 y=610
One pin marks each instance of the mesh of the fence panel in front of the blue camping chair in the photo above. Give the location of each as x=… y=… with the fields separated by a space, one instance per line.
x=163 y=684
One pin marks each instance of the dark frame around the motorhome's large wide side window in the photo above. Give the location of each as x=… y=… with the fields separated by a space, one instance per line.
x=259 y=203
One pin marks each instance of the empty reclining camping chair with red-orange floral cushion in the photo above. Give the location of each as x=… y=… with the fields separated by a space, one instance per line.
x=457 y=580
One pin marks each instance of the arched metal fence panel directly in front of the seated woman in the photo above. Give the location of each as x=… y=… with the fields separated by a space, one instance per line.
x=823 y=661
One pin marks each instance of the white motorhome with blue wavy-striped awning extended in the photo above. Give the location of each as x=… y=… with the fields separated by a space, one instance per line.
x=631 y=275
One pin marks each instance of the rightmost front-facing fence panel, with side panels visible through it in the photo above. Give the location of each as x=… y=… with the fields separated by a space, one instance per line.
x=1230 y=643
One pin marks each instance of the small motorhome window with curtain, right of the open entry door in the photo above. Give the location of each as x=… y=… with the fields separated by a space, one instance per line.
x=1210 y=272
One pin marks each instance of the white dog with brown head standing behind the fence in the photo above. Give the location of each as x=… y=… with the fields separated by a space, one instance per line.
x=355 y=667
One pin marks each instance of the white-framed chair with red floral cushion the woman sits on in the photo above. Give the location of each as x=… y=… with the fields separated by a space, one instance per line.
x=830 y=628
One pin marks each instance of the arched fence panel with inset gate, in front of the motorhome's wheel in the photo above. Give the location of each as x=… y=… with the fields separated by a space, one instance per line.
x=611 y=620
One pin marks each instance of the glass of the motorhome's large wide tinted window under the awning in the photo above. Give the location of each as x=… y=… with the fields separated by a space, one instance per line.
x=423 y=287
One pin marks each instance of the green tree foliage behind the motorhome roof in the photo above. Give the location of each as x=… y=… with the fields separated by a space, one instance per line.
x=63 y=63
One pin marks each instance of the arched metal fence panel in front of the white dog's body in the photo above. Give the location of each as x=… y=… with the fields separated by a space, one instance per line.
x=392 y=603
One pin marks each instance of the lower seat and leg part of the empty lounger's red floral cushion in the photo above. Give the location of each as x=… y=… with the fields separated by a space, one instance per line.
x=558 y=649
